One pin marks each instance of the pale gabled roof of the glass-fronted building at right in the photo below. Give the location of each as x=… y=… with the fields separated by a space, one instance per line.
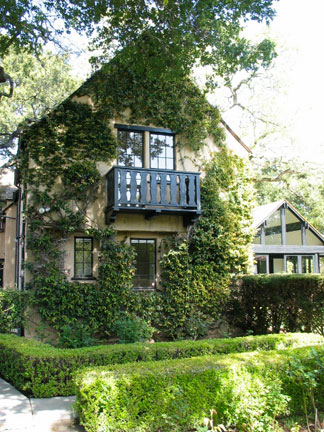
x=262 y=213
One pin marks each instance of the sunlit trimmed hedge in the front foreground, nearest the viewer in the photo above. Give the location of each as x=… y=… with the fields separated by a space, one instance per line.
x=247 y=391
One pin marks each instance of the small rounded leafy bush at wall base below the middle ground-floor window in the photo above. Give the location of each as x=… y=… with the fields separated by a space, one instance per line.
x=132 y=329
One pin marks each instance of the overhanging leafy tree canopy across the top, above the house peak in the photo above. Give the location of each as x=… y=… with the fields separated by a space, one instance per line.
x=181 y=33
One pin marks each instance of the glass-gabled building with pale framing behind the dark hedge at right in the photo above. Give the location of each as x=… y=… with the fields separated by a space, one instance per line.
x=285 y=241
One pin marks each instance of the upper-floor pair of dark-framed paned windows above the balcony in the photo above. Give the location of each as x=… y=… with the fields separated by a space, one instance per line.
x=145 y=147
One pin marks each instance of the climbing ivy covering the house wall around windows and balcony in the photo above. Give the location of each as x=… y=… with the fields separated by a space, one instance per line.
x=58 y=164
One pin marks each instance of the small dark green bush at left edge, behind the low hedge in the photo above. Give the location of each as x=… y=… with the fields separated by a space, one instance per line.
x=12 y=309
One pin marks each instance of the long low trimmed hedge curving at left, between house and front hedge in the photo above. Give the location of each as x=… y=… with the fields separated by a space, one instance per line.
x=40 y=370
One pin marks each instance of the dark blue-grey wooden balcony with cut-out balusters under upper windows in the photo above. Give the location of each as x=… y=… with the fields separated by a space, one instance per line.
x=152 y=192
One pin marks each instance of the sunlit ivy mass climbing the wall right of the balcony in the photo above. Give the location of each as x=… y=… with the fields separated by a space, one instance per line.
x=196 y=271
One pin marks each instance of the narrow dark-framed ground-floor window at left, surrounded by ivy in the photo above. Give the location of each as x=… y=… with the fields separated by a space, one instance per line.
x=83 y=257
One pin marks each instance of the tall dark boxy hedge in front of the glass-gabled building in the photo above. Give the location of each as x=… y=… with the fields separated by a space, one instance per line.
x=269 y=303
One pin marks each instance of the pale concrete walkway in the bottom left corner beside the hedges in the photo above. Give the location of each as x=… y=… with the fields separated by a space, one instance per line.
x=21 y=414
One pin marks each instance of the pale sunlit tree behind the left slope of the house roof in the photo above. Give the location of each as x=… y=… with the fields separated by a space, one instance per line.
x=40 y=84
